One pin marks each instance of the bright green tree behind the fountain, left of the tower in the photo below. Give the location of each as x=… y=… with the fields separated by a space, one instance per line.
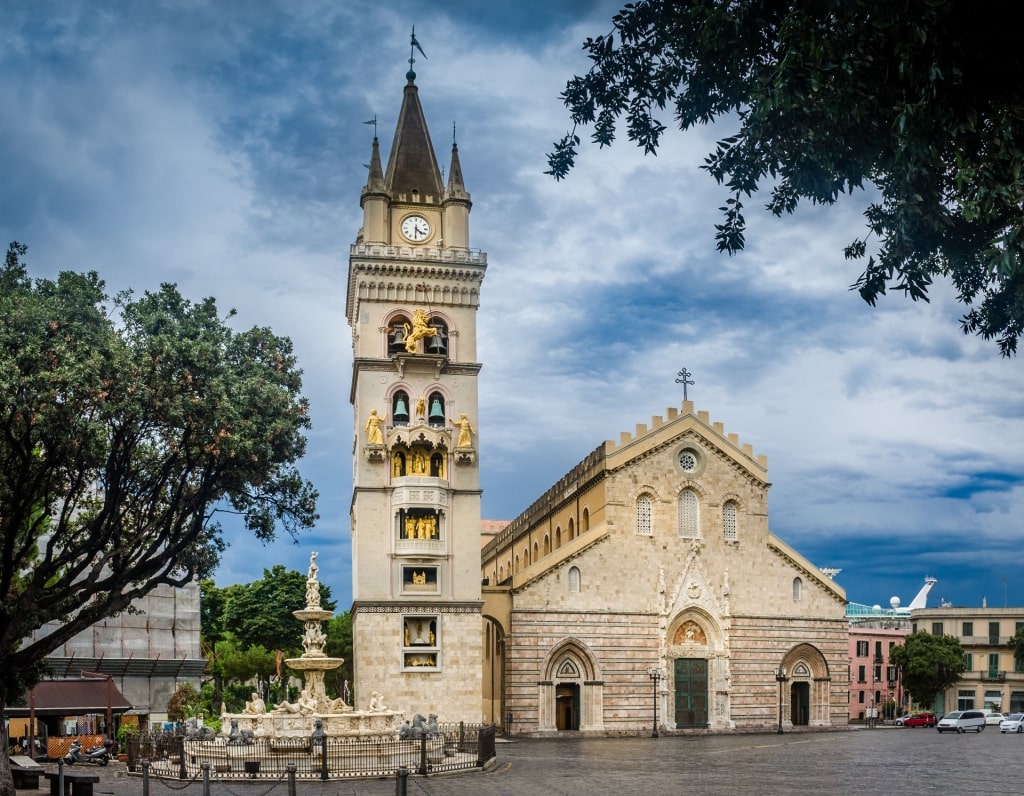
x=261 y=613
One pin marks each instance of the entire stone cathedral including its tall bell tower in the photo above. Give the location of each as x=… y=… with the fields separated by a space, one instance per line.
x=644 y=591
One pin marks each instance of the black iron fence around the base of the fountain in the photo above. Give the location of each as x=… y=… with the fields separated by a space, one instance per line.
x=456 y=746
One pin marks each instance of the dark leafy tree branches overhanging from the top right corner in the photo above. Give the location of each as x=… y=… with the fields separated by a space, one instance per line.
x=911 y=98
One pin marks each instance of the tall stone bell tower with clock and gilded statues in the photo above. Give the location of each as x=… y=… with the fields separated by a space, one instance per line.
x=414 y=288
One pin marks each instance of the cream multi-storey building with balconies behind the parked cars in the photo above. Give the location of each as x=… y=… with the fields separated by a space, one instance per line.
x=994 y=680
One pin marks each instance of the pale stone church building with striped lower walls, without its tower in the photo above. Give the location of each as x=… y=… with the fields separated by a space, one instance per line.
x=653 y=559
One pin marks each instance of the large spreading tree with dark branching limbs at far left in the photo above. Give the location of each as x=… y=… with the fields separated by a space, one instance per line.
x=125 y=426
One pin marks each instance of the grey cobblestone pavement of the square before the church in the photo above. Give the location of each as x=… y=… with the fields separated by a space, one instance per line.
x=900 y=762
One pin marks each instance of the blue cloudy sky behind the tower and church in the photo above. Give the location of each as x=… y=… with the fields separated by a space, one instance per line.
x=222 y=146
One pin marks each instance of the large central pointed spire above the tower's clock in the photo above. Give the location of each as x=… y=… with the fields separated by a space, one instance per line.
x=413 y=175
